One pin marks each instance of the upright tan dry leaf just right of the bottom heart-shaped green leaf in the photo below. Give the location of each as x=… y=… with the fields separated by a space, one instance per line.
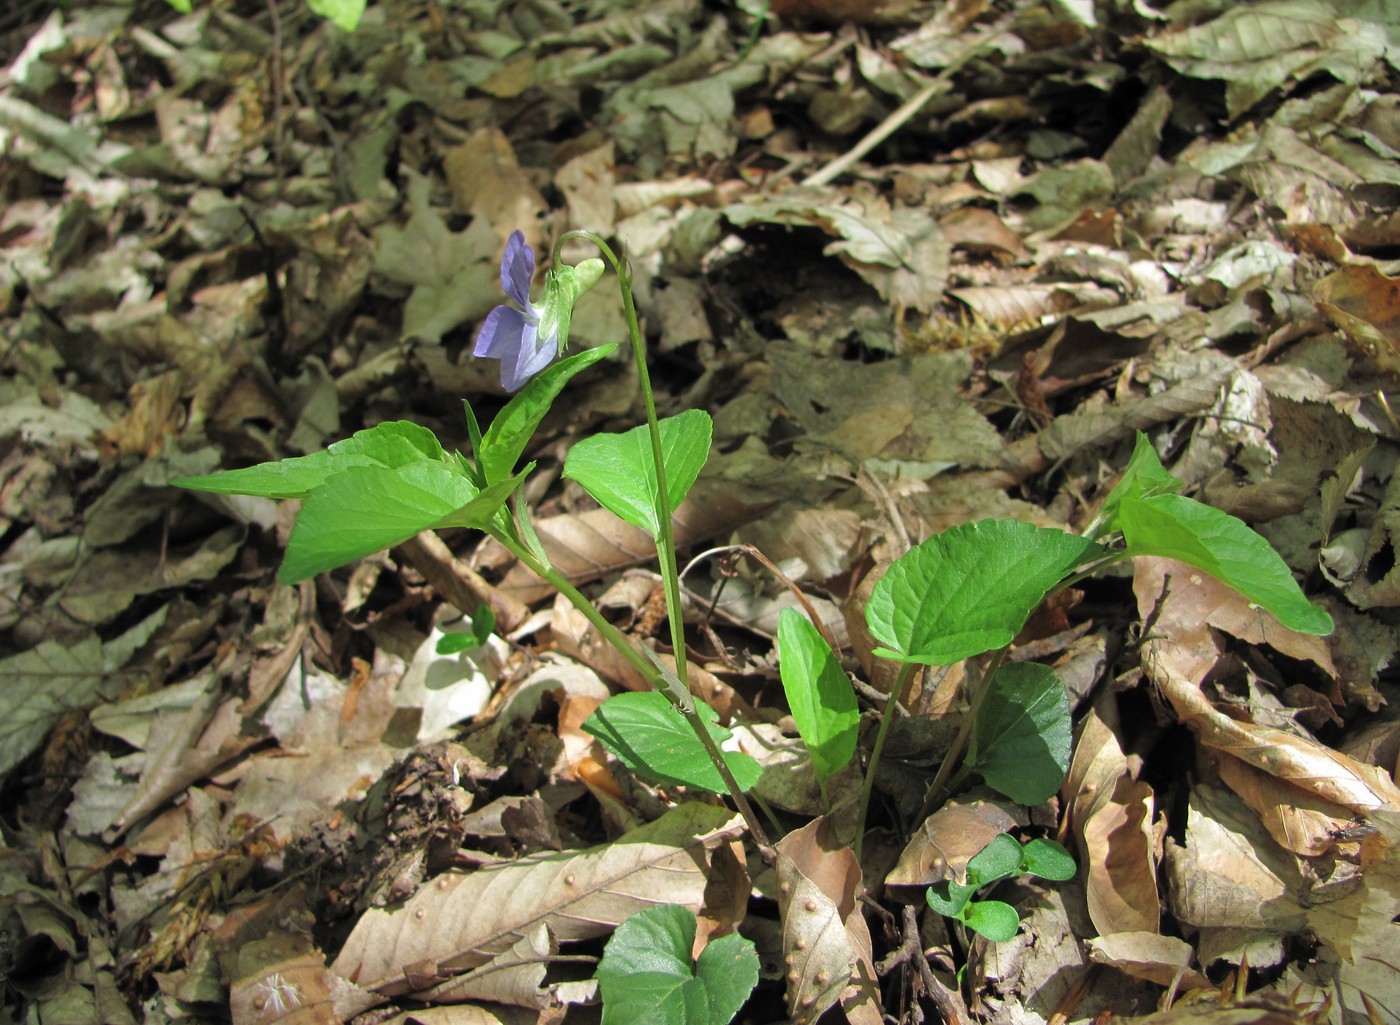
x=827 y=946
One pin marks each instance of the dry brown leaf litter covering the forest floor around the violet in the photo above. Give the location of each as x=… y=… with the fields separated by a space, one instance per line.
x=922 y=267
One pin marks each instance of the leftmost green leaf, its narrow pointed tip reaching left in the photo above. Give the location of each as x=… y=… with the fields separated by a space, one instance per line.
x=398 y=443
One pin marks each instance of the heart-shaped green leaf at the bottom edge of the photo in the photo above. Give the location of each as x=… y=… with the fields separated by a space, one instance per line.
x=647 y=977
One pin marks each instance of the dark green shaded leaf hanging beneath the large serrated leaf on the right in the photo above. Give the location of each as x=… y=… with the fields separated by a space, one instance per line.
x=1021 y=740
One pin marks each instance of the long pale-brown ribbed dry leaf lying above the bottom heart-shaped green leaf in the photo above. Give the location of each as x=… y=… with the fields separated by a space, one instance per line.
x=461 y=921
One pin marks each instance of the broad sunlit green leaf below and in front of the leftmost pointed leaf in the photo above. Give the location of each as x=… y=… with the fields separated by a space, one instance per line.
x=369 y=509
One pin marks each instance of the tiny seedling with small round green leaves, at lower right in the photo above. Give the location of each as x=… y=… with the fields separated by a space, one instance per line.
x=999 y=860
